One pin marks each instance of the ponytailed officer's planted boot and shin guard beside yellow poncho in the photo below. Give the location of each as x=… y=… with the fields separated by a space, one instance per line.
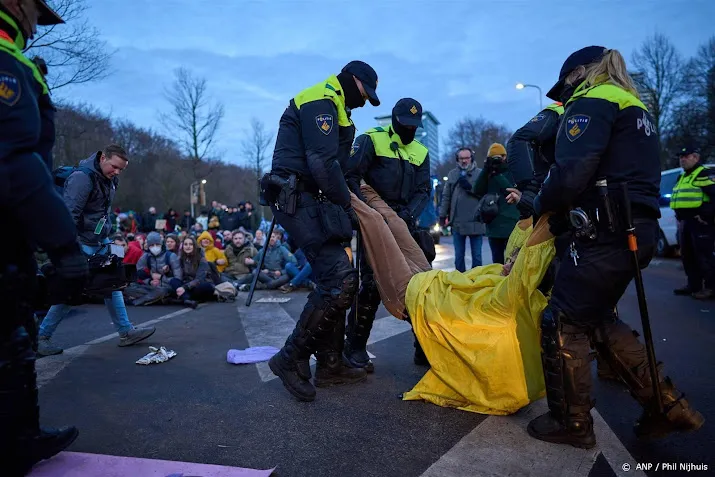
x=565 y=359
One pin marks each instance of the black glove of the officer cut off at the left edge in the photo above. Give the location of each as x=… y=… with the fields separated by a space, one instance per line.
x=67 y=281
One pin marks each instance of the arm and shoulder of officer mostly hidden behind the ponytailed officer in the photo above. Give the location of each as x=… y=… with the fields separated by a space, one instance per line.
x=530 y=153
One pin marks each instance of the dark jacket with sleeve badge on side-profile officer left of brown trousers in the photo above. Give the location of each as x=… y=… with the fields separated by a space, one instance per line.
x=312 y=153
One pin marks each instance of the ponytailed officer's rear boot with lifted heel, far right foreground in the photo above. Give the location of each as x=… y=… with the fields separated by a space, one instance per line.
x=618 y=344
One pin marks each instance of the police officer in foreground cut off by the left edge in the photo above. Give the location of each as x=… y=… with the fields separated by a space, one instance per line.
x=29 y=200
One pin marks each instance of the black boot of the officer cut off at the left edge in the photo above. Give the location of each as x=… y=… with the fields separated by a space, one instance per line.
x=22 y=442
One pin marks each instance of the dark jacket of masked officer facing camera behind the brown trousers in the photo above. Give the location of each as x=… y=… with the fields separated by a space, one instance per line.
x=398 y=182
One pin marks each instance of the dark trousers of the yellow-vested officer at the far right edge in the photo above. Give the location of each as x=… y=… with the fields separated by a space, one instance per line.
x=697 y=245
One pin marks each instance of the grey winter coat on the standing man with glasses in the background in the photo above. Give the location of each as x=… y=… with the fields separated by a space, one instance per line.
x=459 y=205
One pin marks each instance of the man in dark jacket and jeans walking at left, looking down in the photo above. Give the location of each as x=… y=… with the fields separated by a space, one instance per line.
x=88 y=194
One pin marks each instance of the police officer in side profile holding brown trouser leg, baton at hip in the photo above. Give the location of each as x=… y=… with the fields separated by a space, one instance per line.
x=310 y=199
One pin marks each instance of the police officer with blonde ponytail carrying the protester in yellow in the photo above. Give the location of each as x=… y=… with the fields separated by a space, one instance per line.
x=607 y=133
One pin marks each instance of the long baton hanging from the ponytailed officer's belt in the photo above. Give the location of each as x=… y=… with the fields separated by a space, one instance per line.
x=640 y=290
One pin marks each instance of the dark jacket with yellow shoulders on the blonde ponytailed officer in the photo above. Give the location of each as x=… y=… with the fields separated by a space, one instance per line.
x=606 y=133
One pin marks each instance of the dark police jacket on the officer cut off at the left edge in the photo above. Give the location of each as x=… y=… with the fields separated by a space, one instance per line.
x=28 y=197
